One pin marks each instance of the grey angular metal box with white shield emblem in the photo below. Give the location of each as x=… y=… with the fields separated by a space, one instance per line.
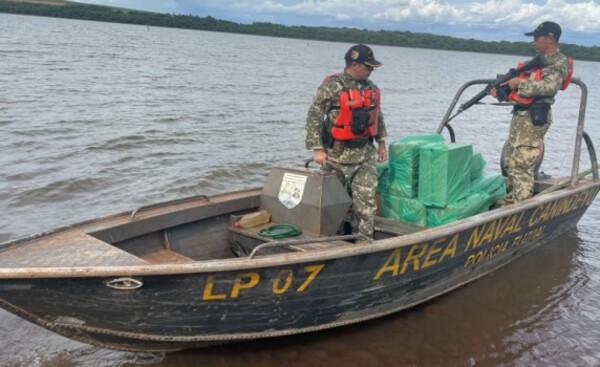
x=314 y=200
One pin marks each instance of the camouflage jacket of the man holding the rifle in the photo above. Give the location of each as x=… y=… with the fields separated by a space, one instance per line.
x=555 y=70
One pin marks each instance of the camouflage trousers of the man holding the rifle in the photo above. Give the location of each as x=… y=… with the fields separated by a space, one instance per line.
x=520 y=155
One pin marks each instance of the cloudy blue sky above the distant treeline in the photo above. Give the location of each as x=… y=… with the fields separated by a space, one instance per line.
x=488 y=20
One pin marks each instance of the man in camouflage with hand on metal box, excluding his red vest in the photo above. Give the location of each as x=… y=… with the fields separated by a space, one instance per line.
x=353 y=159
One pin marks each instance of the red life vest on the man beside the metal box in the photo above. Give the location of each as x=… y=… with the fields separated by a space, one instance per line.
x=350 y=101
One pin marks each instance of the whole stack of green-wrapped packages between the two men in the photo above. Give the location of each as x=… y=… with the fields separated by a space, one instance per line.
x=429 y=182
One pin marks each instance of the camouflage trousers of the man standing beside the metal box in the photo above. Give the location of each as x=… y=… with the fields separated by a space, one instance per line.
x=361 y=181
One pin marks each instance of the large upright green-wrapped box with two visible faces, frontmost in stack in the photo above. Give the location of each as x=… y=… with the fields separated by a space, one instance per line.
x=444 y=173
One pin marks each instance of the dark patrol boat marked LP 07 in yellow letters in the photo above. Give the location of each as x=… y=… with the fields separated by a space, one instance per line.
x=164 y=277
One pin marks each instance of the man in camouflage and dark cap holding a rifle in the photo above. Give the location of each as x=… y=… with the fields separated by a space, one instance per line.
x=529 y=124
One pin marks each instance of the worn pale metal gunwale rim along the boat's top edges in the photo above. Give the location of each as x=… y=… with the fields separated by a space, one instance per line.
x=245 y=263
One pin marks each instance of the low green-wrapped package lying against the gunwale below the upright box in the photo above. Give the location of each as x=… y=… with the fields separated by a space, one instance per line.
x=474 y=203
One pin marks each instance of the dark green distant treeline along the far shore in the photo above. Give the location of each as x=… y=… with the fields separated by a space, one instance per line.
x=350 y=35
